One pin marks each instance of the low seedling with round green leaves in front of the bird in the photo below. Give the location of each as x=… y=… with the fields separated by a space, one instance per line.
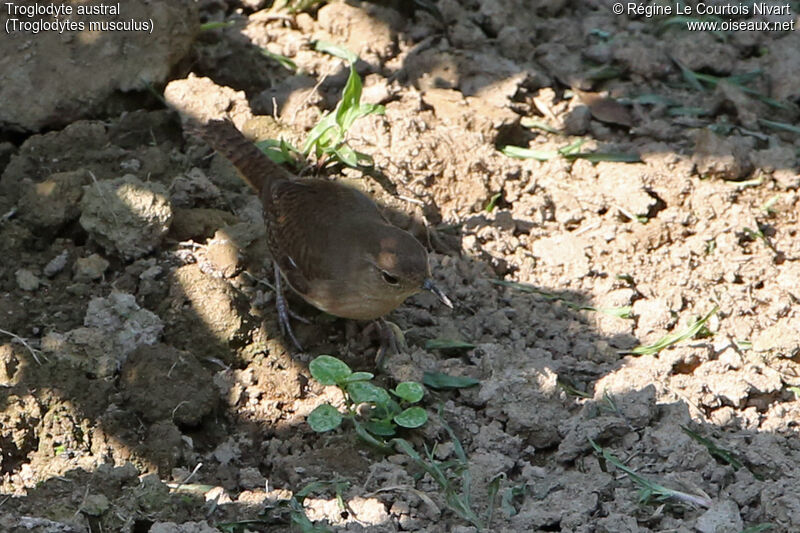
x=383 y=415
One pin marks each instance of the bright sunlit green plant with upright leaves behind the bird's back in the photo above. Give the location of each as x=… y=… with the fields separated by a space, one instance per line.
x=328 y=138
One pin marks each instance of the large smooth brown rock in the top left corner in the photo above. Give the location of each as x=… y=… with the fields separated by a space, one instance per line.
x=90 y=66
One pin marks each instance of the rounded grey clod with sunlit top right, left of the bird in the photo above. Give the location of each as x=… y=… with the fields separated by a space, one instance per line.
x=127 y=216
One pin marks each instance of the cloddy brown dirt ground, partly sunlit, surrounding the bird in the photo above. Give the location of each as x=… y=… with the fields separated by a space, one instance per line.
x=144 y=383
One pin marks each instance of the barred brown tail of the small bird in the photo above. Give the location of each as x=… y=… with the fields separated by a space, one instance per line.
x=254 y=166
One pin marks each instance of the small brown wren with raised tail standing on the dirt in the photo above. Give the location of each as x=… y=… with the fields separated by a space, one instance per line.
x=328 y=241
